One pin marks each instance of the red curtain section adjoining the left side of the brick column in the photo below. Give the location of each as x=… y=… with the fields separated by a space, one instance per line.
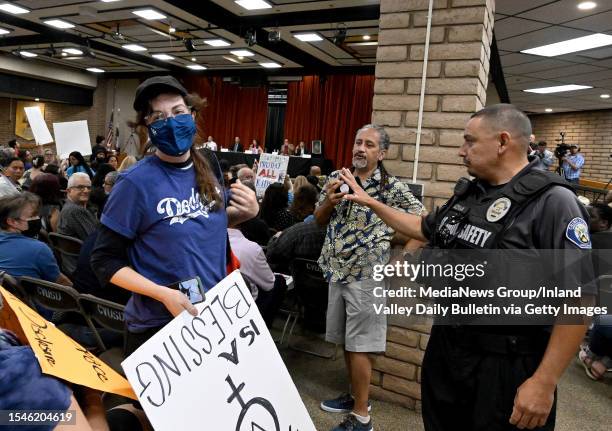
x=330 y=109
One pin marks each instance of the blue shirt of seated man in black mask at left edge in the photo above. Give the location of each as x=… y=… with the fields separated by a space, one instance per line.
x=20 y=255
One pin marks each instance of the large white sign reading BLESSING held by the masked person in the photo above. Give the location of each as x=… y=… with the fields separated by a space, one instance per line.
x=219 y=370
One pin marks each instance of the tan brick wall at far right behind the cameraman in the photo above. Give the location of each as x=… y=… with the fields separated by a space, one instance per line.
x=591 y=130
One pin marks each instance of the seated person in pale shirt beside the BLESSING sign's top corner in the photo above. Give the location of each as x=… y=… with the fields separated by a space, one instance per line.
x=266 y=288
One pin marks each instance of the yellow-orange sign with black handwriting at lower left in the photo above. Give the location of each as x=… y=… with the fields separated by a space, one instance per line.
x=61 y=356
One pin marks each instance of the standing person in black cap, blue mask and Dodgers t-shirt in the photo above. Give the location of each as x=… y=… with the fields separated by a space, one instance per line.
x=166 y=219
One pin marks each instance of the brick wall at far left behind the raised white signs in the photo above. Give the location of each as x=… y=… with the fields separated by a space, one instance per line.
x=58 y=112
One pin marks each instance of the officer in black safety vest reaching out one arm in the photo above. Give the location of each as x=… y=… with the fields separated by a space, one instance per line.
x=495 y=378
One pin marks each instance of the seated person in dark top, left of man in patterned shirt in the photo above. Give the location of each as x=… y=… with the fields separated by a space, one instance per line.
x=302 y=240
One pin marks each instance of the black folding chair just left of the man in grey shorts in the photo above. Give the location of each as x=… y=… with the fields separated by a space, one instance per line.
x=311 y=290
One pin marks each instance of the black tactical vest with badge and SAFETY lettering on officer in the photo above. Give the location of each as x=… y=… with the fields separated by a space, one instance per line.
x=476 y=220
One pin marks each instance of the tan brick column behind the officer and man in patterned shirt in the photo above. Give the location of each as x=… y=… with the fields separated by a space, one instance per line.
x=457 y=78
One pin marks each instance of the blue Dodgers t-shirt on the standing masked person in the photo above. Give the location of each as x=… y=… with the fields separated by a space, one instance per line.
x=176 y=236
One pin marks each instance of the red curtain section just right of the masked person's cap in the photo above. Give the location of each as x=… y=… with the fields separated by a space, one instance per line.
x=231 y=111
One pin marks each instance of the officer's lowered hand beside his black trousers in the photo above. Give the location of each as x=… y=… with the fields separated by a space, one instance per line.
x=532 y=404
